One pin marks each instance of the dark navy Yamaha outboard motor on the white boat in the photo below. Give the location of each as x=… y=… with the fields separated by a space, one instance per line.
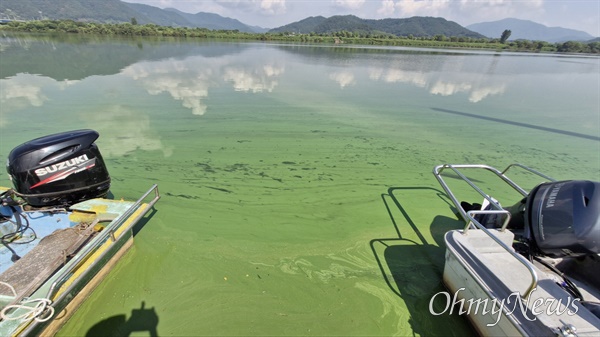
x=563 y=217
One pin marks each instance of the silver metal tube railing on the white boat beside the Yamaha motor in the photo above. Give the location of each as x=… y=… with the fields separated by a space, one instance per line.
x=469 y=217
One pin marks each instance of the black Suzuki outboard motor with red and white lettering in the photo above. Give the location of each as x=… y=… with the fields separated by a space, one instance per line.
x=59 y=170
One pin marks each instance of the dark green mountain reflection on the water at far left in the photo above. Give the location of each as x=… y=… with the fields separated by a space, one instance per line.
x=74 y=58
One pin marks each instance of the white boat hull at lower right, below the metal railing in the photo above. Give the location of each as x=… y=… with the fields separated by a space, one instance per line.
x=486 y=284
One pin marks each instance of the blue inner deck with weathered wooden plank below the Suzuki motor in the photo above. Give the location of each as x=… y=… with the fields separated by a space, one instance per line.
x=46 y=240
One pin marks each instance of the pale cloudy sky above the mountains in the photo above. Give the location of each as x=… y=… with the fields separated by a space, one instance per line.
x=575 y=14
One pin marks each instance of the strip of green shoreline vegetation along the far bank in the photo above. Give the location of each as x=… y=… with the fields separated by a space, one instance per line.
x=340 y=37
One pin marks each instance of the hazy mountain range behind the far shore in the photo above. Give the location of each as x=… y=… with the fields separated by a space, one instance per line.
x=114 y=11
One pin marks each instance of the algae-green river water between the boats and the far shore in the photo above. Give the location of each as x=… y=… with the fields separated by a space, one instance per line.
x=297 y=195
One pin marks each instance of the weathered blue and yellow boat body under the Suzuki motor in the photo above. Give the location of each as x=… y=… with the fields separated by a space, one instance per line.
x=51 y=259
